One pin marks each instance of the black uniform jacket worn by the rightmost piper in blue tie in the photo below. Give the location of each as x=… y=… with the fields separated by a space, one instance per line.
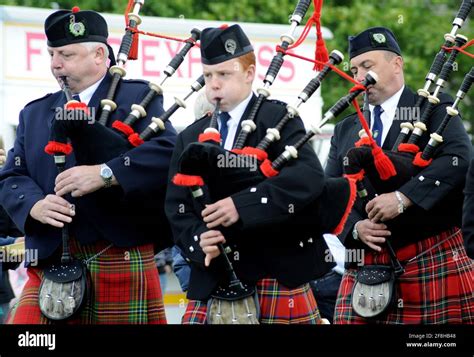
x=436 y=189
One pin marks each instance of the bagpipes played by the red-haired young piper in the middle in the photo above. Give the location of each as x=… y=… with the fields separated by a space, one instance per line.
x=200 y=171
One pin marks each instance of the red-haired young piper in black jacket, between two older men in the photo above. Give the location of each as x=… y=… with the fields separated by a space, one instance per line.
x=266 y=249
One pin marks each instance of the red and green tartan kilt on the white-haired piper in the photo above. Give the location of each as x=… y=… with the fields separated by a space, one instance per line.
x=125 y=288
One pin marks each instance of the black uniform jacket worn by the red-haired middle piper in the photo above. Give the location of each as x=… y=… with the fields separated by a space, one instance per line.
x=264 y=241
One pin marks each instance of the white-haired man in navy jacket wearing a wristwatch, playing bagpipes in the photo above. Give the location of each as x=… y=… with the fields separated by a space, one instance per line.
x=111 y=207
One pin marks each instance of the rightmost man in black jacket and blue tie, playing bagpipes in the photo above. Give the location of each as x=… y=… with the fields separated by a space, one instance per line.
x=436 y=287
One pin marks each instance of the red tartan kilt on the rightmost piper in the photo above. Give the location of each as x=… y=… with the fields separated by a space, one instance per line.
x=436 y=288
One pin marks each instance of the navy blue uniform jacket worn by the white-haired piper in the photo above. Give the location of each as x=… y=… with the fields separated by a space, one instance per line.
x=127 y=215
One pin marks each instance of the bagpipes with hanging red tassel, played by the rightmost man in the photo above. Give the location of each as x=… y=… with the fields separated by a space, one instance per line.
x=406 y=159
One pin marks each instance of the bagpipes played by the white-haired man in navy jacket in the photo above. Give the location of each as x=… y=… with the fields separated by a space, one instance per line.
x=92 y=140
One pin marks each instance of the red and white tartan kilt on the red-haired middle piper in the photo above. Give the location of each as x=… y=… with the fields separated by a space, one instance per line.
x=278 y=305
